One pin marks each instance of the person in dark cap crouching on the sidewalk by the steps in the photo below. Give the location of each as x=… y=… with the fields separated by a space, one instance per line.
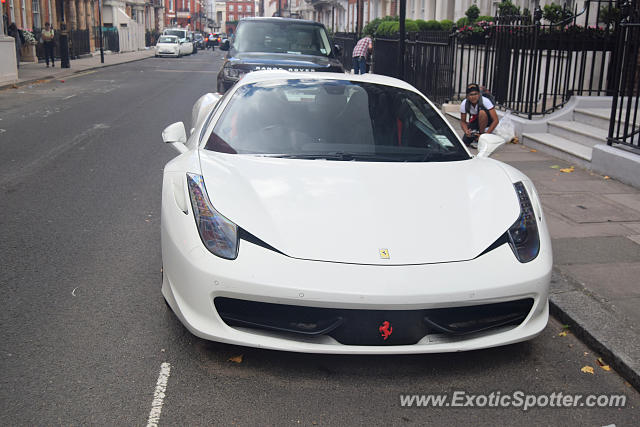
x=482 y=115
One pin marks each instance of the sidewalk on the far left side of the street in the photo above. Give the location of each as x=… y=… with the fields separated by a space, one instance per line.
x=30 y=72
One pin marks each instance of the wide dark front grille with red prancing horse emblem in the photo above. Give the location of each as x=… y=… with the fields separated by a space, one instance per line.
x=372 y=327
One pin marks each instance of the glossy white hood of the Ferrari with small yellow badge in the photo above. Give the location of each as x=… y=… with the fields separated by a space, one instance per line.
x=345 y=211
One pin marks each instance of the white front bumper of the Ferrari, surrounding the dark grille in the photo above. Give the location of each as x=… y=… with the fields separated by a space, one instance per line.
x=194 y=280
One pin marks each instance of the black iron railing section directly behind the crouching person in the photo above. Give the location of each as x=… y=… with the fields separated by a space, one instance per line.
x=534 y=68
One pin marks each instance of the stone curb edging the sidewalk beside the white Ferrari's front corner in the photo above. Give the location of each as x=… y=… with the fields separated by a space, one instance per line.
x=597 y=325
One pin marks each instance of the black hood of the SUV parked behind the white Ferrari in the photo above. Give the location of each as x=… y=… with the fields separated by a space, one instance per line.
x=260 y=61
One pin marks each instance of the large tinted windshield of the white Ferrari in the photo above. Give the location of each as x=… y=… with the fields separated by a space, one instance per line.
x=333 y=120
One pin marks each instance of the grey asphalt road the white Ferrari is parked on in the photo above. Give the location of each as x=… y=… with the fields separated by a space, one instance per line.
x=85 y=329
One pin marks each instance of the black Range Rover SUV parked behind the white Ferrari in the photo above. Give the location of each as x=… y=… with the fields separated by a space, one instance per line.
x=276 y=43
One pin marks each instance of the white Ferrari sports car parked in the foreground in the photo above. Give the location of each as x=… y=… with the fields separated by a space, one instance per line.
x=325 y=213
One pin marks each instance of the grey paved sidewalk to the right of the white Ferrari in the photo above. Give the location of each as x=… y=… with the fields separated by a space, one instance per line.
x=594 y=223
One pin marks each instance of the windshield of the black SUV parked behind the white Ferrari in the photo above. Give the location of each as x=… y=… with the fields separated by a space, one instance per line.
x=282 y=37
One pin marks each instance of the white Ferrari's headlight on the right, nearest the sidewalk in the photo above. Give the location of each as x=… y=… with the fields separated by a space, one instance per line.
x=523 y=234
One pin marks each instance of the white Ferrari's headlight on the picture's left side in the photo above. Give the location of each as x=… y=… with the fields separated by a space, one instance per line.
x=218 y=234
